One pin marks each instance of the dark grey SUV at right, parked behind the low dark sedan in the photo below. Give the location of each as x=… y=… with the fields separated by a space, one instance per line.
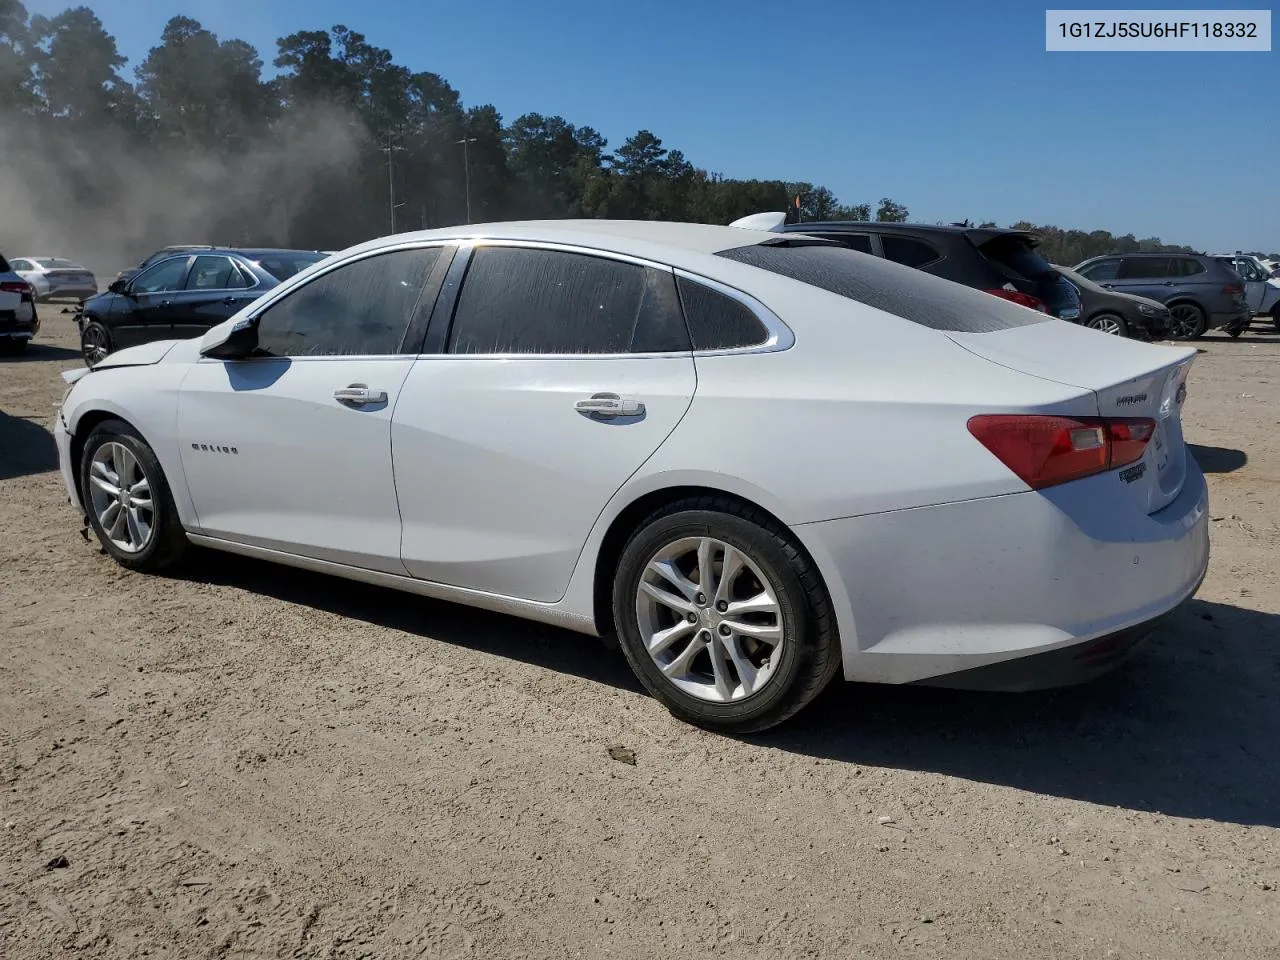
x=1201 y=294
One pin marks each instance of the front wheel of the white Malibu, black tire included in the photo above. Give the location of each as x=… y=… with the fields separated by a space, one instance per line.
x=127 y=500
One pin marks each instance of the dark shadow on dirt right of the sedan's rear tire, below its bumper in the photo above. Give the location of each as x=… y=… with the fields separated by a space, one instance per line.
x=1188 y=728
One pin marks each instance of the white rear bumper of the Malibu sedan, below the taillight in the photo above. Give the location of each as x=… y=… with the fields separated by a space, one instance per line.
x=940 y=592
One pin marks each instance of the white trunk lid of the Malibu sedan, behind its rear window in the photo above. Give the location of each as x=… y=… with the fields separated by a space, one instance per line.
x=1130 y=380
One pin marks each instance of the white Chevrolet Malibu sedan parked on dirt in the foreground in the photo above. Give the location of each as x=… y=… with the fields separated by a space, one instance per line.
x=756 y=460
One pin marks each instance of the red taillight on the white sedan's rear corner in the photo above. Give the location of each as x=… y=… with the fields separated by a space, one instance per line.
x=1045 y=451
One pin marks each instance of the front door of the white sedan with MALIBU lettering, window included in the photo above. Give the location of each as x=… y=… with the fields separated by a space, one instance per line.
x=291 y=450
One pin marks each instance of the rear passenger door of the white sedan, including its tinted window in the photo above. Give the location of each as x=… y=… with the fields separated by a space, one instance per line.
x=560 y=376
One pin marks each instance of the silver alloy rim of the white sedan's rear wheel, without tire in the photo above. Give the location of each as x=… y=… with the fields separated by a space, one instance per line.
x=710 y=619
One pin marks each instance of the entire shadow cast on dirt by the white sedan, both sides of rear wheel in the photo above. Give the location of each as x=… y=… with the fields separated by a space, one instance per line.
x=1188 y=728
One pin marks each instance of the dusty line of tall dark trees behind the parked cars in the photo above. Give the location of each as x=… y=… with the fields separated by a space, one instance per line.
x=337 y=145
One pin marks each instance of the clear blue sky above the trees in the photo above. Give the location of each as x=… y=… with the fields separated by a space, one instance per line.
x=954 y=109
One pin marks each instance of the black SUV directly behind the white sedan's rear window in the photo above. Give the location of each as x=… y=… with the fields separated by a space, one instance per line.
x=1000 y=262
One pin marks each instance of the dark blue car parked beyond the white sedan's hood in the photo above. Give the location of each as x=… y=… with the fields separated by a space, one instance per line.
x=182 y=296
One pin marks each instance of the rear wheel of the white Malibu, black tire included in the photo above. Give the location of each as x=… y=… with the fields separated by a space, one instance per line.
x=724 y=618
